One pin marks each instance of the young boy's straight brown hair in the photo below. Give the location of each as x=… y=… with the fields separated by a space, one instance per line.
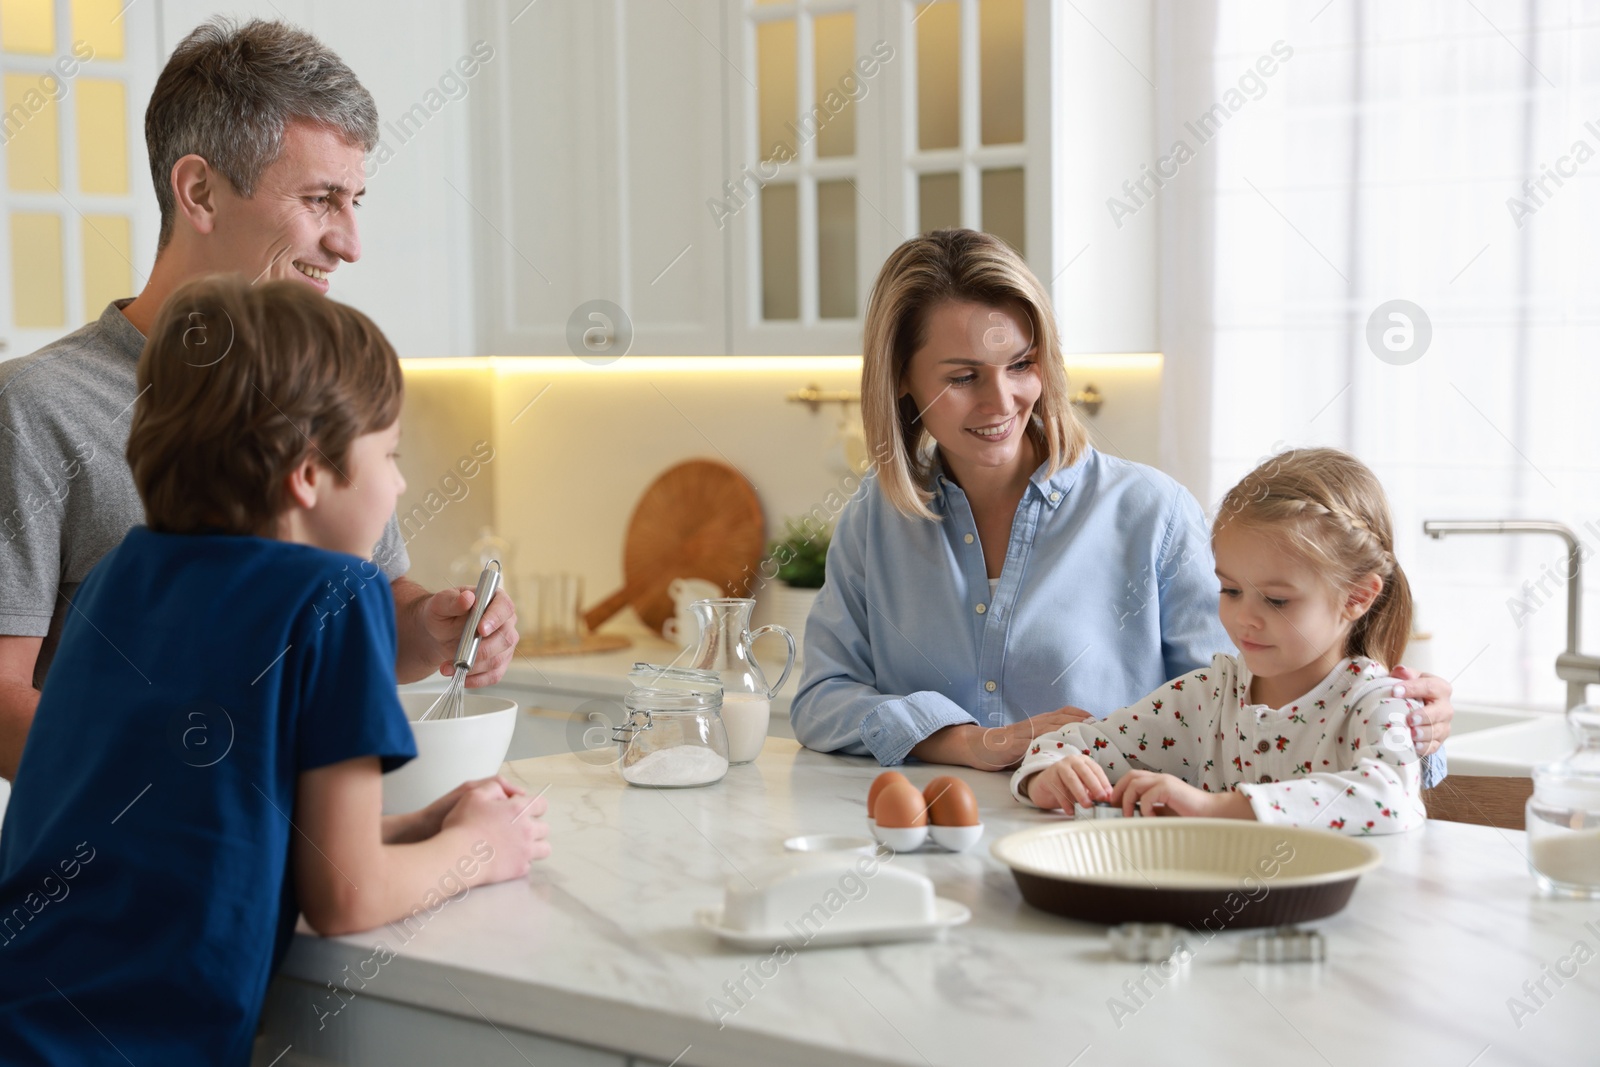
x=239 y=386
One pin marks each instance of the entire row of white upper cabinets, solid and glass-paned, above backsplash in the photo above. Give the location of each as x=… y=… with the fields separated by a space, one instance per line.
x=732 y=175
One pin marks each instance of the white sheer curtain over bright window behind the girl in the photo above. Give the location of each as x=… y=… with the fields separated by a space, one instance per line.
x=1386 y=159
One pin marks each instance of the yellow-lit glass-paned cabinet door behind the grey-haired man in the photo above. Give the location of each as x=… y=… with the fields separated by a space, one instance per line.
x=78 y=215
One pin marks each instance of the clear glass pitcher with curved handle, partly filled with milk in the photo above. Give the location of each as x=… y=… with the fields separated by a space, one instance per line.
x=726 y=641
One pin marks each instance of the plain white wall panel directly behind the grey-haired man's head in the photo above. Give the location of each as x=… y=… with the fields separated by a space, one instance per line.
x=415 y=276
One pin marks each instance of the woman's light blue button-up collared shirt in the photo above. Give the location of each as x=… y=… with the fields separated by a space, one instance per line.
x=1108 y=591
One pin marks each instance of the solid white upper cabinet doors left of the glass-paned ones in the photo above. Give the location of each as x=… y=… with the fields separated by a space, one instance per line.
x=596 y=150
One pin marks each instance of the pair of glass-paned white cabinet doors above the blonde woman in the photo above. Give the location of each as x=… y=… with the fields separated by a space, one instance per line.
x=860 y=124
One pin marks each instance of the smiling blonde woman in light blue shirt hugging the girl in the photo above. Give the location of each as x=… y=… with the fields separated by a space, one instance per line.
x=998 y=575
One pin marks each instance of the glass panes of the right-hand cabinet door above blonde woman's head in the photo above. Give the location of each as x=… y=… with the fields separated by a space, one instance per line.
x=966 y=151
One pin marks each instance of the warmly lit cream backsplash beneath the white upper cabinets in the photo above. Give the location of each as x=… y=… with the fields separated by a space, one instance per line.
x=574 y=447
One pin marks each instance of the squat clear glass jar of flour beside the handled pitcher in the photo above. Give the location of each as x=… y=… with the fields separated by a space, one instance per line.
x=674 y=735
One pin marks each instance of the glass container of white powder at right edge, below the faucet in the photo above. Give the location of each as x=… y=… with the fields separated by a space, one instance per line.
x=1564 y=813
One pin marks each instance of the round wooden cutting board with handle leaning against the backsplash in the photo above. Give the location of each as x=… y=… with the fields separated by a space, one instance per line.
x=700 y=519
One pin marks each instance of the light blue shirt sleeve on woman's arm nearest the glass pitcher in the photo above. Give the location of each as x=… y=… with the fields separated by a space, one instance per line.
x=839 y=708
